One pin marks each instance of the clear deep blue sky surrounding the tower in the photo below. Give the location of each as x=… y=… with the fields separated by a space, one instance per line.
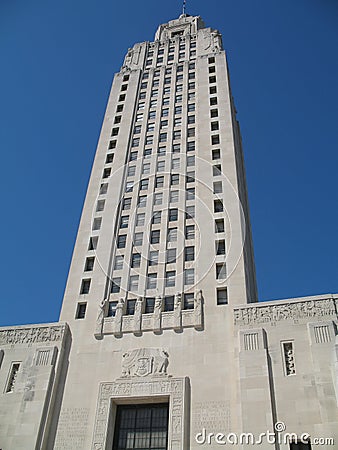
x=57 y=63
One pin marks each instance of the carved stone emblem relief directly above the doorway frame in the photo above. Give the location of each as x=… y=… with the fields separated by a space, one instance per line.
x=144 y=361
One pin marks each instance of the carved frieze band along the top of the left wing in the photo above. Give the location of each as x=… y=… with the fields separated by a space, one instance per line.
x=32 y=335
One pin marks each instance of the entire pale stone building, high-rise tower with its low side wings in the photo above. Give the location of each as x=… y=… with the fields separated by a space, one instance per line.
x=161 y=343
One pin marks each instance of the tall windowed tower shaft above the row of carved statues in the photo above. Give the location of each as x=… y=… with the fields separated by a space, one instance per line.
x=166 y=209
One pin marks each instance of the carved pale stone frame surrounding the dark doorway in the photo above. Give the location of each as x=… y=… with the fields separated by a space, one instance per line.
x=134 y=389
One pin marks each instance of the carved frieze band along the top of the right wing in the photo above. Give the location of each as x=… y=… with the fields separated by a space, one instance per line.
x=285 y=311
